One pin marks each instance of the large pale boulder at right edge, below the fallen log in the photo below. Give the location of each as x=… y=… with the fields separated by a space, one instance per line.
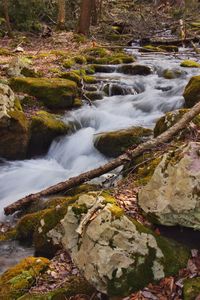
x=171 y=197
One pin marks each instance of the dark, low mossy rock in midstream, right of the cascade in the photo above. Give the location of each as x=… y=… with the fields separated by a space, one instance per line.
x=114 y=143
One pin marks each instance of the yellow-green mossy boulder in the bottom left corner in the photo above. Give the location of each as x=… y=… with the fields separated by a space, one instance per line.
x=16 y=281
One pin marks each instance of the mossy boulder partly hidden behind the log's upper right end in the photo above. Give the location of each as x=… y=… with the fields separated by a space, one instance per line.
x=171 y=118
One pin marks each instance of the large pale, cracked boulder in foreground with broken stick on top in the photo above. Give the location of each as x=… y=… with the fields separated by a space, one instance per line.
x=116 y=254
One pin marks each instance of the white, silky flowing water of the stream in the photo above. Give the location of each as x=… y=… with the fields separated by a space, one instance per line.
x=74 y=154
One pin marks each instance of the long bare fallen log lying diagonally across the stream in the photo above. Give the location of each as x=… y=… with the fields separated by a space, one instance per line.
x=128 y=156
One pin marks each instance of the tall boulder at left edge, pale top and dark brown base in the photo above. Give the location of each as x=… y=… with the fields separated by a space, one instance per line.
x=13 y=126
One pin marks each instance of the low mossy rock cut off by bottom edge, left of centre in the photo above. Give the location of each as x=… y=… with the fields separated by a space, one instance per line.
x=75 y=285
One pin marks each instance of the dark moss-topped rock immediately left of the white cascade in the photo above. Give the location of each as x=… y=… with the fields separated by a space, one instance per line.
x=44 y=128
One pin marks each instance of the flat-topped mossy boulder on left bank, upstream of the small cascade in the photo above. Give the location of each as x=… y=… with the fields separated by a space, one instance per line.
x=55 y=93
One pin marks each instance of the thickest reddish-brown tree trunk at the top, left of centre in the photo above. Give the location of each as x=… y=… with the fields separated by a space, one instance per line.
x=85 y=17
